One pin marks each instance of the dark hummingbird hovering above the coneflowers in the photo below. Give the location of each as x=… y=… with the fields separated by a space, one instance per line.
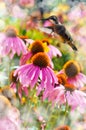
x=59 y=29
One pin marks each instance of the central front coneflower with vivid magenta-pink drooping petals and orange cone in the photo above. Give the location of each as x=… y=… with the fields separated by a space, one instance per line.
x=38 y=70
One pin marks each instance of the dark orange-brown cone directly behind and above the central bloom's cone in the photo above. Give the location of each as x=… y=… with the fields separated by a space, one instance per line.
x=36 y=47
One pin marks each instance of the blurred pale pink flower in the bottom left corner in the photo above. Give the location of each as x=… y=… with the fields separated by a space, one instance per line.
x=9 y=115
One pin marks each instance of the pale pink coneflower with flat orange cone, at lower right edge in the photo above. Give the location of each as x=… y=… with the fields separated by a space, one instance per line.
x=74 y=97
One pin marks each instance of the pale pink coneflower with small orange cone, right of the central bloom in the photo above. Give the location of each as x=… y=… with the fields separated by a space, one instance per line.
x=57 y=96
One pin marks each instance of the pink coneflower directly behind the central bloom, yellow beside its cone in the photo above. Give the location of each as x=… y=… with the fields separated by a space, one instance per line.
x=40 y=46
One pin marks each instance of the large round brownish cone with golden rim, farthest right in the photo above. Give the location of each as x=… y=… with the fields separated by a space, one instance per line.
x=71 y=68
